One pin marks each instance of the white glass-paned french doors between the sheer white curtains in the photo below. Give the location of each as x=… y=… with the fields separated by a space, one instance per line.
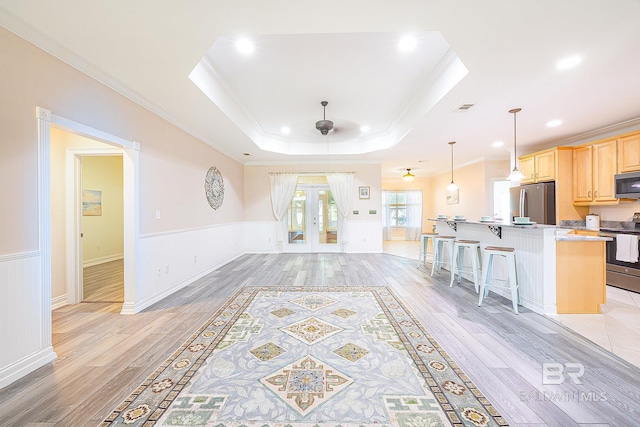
x=312 y=223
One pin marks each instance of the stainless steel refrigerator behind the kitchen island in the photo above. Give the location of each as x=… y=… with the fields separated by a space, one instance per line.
x=537 y=201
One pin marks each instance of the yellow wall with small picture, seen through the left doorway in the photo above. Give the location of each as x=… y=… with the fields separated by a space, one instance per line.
x=103 y=235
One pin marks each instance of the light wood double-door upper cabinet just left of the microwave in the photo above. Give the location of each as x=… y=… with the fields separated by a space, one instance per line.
x=594 y=168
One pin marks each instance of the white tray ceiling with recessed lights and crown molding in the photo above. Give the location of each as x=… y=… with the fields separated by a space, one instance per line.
x=494 y=54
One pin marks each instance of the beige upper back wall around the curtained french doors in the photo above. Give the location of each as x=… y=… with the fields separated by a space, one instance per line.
x=258 y=189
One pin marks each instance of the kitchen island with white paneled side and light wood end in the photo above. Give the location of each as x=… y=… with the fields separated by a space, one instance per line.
x=542 y=276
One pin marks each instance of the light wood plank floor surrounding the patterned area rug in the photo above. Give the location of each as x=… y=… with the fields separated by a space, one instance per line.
x=103 y=356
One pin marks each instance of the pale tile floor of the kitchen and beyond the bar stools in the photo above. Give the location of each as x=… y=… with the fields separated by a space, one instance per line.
x=616 y=329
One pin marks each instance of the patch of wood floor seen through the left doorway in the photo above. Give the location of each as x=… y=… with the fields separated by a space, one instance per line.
x=103 y=282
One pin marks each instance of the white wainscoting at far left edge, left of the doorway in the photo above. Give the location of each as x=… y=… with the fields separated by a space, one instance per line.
x=24 y=348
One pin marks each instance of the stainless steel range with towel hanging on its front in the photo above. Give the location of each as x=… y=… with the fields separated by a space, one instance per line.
x=622 y=274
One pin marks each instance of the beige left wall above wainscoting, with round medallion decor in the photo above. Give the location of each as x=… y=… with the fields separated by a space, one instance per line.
x=173 y=164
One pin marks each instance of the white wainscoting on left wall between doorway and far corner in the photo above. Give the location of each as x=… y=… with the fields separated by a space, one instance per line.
x=170 y=261
